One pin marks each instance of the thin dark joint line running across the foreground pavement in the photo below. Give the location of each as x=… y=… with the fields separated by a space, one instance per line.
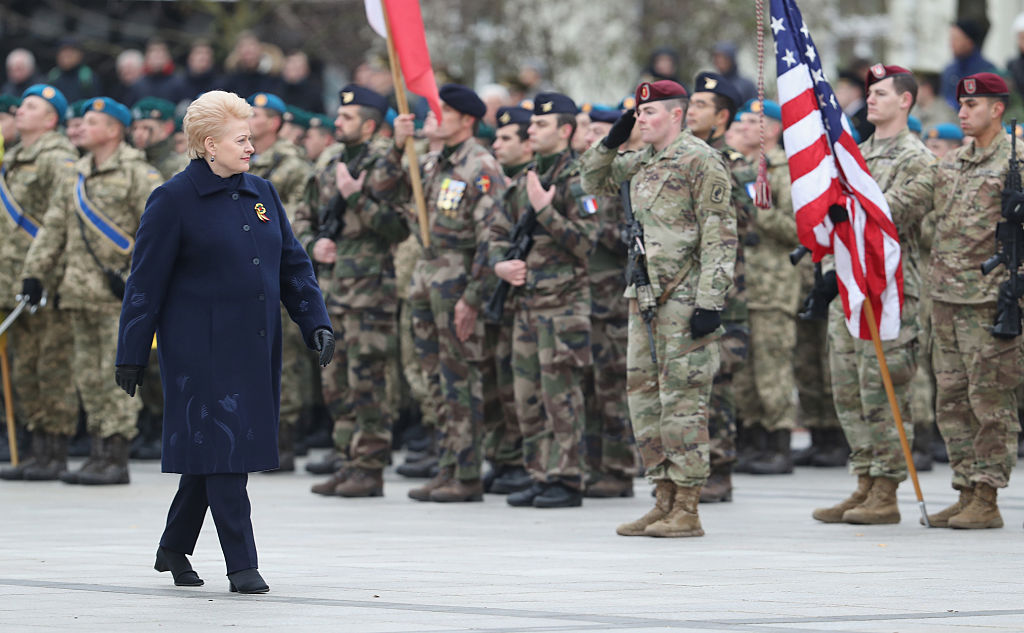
x=604 y=622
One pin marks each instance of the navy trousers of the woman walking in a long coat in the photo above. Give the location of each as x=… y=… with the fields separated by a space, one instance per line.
x=227 y=498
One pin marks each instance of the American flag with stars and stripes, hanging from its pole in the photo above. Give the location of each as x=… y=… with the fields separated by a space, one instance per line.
x=827 y=170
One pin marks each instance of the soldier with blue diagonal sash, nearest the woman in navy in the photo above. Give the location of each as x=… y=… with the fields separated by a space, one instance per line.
x=89 y=230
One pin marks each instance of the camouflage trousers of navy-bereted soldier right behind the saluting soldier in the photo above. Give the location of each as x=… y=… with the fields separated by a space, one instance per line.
x=735 y=346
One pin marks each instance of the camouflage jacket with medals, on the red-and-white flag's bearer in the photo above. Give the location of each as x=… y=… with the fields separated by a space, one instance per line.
x=463 y=189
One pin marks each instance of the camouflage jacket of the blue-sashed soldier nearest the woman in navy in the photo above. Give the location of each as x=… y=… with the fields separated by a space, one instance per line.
x=118 y=190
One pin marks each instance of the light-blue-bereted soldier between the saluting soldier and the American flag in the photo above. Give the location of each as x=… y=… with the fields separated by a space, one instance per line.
x=765 y=385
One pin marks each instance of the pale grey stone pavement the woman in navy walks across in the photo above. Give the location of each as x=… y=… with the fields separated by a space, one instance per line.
x=76 y=559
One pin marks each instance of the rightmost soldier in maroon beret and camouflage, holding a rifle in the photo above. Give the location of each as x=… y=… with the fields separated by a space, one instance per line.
x=977 y=373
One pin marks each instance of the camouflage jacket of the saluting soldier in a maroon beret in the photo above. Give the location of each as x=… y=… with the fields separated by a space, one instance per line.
x=681 y=198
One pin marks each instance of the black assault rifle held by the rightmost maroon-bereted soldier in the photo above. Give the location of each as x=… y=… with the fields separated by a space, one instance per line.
x=1010 y=245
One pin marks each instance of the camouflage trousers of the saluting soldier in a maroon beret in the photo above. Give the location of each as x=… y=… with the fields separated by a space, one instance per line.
x=670 y=401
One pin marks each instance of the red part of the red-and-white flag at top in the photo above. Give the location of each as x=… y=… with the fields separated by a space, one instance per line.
x=411 y=45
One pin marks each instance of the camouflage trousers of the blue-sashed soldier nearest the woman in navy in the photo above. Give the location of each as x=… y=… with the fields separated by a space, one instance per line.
x=110 y=410
